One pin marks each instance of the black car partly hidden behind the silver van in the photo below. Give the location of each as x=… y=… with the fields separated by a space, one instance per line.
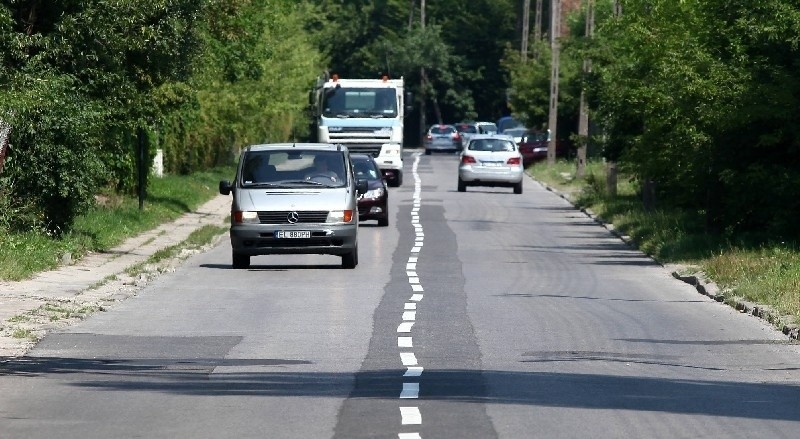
x=374 y=203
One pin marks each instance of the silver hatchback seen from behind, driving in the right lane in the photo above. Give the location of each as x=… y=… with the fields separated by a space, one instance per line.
x=490 y=160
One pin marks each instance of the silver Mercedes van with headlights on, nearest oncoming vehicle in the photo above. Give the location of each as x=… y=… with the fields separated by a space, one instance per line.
x=294 y=198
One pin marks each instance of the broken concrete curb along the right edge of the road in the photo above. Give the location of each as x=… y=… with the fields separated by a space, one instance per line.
x=699 y=281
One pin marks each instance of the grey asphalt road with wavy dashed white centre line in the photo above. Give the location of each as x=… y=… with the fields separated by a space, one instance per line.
x=473 y=315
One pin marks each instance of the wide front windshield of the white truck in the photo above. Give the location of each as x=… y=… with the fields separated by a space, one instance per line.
x=359 y=102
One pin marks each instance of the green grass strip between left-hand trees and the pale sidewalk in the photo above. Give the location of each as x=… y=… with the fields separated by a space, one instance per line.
x=114 y=219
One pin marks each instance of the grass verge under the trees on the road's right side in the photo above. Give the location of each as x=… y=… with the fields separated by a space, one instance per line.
x=760 y=272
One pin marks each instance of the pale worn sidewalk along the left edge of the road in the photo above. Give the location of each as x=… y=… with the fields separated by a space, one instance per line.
x=93 y=283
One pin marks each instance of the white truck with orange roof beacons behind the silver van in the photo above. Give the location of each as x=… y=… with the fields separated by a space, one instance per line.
x=366 y=115
